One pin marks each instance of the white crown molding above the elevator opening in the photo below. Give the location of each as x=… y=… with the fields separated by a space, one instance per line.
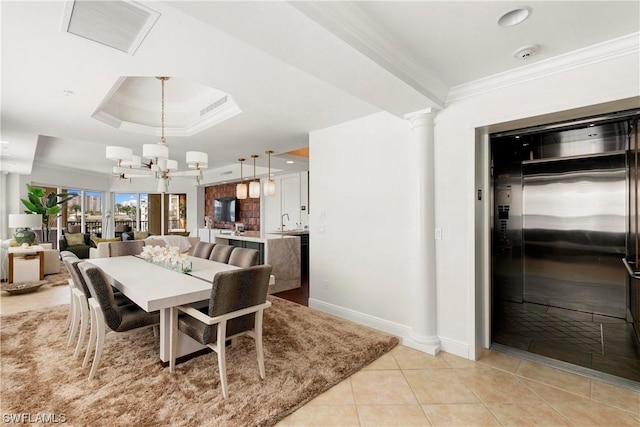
x=601 y=52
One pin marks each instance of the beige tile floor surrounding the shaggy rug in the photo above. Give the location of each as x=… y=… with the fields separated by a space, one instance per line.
x=408 y=388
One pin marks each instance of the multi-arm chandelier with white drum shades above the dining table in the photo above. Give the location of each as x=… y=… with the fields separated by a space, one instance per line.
x=160 y=166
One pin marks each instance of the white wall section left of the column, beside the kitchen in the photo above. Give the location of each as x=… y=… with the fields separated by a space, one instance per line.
x=360 y=221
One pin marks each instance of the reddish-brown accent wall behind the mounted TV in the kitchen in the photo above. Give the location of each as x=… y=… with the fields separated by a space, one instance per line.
x=249 y=209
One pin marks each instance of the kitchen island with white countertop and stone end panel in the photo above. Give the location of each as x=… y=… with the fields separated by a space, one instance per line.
x=281 y=251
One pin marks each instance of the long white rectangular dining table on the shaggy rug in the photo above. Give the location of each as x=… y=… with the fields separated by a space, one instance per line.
x=153 y=287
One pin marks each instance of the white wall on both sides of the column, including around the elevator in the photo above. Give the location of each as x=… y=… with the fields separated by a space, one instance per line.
x=359 y=261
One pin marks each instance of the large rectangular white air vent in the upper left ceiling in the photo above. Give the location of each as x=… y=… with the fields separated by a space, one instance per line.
x=122 y=25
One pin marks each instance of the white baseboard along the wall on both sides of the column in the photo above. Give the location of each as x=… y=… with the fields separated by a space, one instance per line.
x=403 y=332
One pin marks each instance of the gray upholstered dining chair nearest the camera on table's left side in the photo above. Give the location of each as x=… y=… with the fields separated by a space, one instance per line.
x=106 y=313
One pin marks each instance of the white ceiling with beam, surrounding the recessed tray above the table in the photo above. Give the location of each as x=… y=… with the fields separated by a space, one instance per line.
x=291 y=67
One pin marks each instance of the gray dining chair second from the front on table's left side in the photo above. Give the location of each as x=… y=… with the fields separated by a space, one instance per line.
x=79 y=305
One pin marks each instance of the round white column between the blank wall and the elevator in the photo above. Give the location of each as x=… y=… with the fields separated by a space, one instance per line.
x=424 y=334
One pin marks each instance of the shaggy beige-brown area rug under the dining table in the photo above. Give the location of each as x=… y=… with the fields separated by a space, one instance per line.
x=306 y=353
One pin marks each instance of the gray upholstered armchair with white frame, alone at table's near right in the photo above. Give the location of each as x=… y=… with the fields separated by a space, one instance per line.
x=238 y=300
